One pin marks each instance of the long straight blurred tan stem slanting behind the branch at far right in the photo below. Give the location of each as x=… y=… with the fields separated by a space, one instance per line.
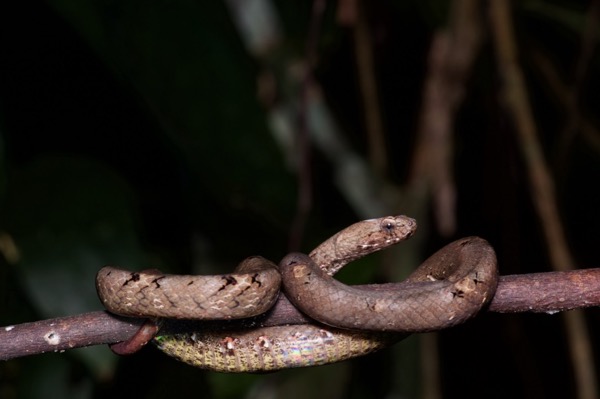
x=542 y=188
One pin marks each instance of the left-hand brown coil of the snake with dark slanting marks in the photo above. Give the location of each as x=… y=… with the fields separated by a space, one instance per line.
x=250 y=291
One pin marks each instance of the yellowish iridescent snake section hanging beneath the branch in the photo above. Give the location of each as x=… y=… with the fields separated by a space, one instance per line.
x=271 y=348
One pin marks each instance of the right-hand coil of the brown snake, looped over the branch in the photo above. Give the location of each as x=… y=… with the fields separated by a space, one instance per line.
x=447 y=289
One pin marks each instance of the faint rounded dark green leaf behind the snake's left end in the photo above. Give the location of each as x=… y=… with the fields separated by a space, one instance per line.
x=69 y=217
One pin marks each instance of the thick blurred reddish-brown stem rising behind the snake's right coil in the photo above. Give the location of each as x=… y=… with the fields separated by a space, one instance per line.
x=451 y=57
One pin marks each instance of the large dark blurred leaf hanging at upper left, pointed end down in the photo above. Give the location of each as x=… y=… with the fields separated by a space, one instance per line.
x=188 y=63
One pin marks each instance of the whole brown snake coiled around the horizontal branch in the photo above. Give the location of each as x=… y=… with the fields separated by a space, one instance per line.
x=462 y=274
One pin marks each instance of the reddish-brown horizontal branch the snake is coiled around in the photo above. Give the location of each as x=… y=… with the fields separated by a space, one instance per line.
x=539 y=293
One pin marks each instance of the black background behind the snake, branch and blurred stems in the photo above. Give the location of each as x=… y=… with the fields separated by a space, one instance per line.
x=131 y=133
